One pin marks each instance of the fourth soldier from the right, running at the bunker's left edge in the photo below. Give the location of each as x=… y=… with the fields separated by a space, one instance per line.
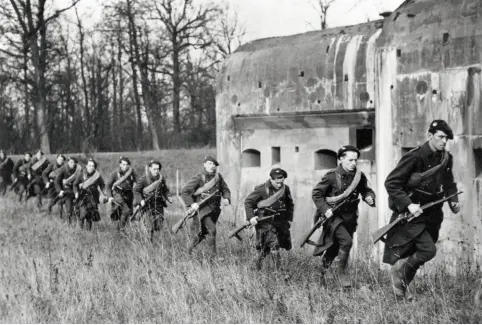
x=203 y=224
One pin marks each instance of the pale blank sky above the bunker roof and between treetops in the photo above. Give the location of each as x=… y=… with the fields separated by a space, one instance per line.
x=269 y=18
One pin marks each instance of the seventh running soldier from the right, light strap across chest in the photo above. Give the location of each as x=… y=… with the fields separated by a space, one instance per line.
x=87 y=188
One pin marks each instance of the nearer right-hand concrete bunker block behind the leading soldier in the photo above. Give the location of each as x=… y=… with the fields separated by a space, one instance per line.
x=430 y=53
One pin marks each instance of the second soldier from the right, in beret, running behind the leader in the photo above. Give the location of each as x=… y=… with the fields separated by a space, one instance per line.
x=343 y=184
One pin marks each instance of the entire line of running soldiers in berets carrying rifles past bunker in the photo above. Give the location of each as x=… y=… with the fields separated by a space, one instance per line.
x=422 y=175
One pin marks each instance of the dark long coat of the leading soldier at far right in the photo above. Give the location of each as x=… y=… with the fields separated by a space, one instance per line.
x=401 y=195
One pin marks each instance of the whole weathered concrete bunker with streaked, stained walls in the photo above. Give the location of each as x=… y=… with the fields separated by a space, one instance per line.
x=421 y=63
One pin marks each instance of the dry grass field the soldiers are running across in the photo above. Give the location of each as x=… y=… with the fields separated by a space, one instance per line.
x=53 y=273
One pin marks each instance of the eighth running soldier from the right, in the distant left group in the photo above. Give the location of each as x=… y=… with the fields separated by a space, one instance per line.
x=64 y=185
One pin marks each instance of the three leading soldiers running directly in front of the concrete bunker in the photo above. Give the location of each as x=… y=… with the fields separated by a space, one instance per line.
x=423 y=175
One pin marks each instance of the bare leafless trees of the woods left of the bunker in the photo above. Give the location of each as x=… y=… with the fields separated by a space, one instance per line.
x=141 y=78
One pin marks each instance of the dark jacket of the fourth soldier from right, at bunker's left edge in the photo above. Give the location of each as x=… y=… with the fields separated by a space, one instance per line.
x=213 y=205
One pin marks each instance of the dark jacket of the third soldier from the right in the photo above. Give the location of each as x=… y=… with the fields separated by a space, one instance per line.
x=261 y=192
